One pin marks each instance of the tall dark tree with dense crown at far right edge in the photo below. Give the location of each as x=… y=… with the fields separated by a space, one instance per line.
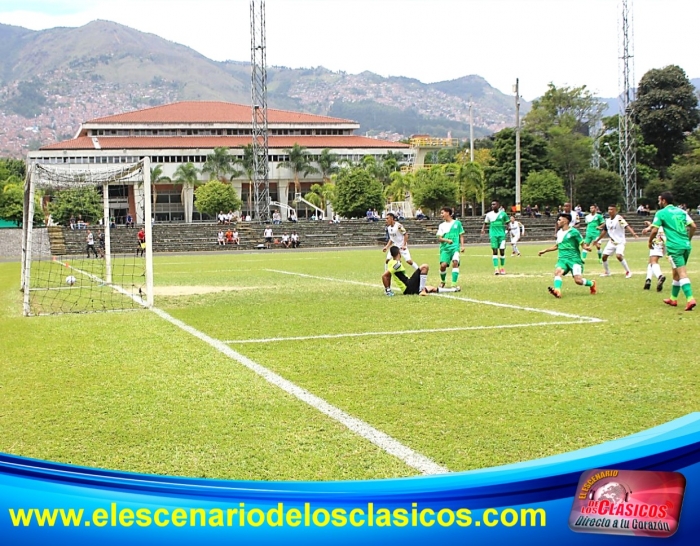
x=665 y=110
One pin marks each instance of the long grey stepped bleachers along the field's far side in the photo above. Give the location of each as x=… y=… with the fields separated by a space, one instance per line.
x=198 y=237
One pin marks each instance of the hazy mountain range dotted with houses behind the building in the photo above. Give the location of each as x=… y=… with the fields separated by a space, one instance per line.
x=52 y=80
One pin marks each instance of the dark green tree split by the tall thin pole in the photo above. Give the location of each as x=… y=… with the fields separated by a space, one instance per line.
x=500 y=173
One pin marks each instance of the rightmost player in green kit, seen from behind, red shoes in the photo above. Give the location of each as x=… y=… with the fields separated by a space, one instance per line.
x=679 y=229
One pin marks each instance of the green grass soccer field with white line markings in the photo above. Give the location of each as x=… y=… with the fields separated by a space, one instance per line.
x=284 y=365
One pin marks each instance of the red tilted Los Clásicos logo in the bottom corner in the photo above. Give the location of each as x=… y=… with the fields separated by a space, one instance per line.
x=628 y=502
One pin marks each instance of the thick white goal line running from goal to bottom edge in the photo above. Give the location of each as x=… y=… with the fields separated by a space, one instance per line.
x=412 y=458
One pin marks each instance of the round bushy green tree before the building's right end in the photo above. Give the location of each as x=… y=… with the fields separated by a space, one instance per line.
x=356 y=190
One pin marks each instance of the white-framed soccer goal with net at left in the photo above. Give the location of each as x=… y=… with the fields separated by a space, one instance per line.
x=77 y=255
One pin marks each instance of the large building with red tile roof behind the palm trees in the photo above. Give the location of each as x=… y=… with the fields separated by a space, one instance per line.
x=187 y=132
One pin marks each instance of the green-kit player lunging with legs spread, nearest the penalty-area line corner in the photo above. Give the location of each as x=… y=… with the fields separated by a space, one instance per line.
x=569 y=243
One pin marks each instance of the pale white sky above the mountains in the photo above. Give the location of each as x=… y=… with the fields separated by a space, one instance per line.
x=565 y=42
